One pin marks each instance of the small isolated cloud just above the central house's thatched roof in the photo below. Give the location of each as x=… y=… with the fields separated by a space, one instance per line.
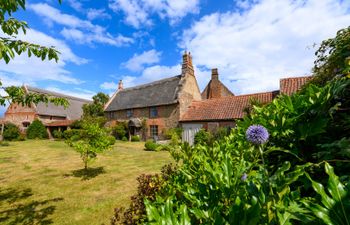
x=138 y=61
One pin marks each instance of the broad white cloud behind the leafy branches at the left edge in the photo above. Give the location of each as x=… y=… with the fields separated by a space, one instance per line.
x=28 y=70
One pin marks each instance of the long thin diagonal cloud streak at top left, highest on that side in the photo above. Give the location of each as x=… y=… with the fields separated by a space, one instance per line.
x=77 y=27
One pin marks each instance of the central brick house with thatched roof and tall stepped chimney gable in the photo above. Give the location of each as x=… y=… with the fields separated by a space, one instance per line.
x=153 y=108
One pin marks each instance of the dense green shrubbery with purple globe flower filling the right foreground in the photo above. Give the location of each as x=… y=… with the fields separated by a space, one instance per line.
x=286 y=162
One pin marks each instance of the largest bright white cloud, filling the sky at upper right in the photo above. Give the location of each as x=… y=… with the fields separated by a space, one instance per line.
x=269 y=40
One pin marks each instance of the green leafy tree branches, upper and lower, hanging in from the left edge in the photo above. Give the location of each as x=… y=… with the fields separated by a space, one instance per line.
x=10 y=46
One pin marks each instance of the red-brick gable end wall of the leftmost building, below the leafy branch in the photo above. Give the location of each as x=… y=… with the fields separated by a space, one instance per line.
x=17 y=114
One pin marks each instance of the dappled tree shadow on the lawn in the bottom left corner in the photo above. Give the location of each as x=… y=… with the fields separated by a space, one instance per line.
x=19 y=212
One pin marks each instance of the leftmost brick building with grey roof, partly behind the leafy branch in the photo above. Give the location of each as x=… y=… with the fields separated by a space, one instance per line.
x=52 y=116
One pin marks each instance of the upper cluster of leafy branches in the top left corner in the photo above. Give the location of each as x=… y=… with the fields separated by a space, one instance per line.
x=11 y=27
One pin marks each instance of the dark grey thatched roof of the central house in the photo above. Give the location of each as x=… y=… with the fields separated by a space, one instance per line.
x=161 y=92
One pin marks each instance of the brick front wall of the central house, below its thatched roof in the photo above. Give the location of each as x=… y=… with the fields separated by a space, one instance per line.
x=168 y=117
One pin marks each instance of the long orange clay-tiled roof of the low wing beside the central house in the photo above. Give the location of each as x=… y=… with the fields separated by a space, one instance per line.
x=225 y=108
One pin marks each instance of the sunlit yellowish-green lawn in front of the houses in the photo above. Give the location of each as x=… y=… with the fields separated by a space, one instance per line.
x=42 y=182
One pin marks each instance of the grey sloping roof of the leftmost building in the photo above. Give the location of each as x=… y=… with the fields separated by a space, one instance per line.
x=73 y=112
